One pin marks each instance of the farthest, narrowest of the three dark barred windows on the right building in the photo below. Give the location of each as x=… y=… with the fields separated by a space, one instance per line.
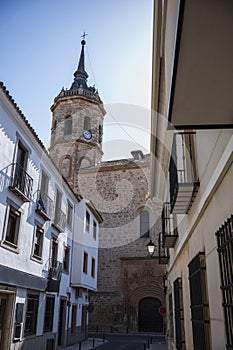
x=179 y=314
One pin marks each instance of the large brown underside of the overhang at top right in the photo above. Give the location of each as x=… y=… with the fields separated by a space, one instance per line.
x=201 y=88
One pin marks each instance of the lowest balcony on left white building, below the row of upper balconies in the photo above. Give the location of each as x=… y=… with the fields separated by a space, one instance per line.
x=54 y=275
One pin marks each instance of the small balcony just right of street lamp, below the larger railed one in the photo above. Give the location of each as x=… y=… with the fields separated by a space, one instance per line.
x=169 y=228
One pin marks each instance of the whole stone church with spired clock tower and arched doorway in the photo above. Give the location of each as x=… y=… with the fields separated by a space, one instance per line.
x=130 y=288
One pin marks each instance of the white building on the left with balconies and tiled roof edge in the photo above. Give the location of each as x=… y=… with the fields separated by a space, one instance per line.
x=41 y=221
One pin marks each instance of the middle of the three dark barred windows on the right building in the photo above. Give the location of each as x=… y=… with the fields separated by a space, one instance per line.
x=199 y=304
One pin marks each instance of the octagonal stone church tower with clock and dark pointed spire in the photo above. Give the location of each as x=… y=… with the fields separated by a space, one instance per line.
x=77 y=125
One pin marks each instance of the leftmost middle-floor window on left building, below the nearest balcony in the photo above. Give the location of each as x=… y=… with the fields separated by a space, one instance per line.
x=12 y=230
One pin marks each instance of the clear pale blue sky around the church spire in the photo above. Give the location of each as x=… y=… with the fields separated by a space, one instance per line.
x=40 y=48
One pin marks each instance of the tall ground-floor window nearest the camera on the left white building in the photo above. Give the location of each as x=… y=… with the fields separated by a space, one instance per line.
x=31 y=314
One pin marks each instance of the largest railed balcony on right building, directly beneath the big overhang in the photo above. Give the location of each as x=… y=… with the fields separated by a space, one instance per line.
x=183 y=179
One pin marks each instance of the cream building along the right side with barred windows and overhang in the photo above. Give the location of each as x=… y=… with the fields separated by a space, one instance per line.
x=192 y=174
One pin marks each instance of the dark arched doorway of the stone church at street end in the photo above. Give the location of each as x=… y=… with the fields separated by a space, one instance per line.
x=149 y=318
